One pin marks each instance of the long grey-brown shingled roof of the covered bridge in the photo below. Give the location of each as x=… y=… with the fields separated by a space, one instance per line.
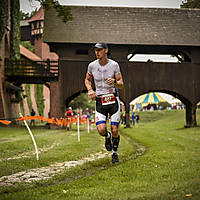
x=125 y=25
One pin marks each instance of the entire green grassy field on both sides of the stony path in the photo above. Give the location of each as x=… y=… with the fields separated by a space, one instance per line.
x=159 y=160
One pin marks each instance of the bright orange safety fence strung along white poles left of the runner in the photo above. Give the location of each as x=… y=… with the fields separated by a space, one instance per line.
x=60 y=122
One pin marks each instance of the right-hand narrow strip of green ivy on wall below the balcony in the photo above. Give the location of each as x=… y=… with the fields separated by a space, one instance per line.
x=39 y=98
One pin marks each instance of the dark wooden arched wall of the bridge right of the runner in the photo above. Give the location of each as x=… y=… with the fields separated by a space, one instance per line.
x=177 y=78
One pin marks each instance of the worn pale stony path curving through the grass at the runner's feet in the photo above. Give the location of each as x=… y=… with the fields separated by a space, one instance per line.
x=45 y=173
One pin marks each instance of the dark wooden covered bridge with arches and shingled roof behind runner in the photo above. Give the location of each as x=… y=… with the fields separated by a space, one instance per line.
x=128 y=31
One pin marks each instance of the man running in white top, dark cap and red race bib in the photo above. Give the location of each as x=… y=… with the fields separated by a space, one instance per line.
x=108 y=79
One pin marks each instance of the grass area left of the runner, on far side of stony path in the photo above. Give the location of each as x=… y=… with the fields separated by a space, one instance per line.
x=54 y=146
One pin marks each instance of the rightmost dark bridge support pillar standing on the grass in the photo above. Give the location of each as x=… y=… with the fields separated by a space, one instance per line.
x=190 y=115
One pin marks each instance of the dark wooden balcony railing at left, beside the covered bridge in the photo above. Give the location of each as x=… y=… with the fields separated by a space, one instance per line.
x=23 y=71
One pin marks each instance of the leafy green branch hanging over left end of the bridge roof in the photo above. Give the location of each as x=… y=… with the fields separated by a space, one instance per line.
x=63 y=11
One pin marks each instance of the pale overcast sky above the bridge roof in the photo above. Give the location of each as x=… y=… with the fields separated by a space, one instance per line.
x=28 y=6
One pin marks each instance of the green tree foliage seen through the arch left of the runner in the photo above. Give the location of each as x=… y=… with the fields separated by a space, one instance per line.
x=82 y=102
